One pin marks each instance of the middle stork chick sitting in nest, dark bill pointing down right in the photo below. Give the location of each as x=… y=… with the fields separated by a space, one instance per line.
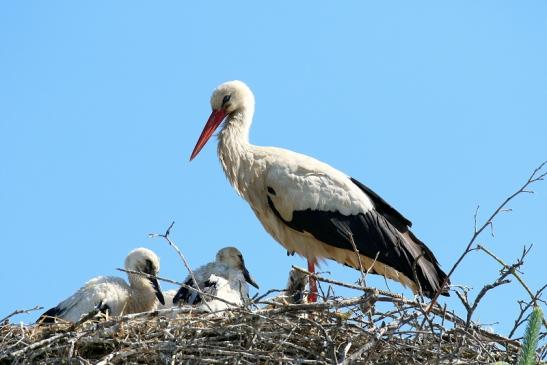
x=226 y=278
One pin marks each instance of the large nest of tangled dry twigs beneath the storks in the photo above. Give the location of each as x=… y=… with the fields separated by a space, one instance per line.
x=337 y=331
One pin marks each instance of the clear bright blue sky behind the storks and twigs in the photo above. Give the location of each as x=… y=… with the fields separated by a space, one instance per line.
x=436 y=106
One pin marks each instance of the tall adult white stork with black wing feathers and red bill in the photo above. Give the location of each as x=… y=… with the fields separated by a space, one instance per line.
x=310 y=207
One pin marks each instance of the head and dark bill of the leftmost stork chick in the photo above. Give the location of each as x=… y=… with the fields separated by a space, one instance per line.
x=145 y=261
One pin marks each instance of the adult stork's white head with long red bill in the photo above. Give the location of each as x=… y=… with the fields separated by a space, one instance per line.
x=228 y=98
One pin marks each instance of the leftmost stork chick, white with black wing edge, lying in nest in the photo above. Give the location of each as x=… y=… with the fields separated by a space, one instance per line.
x=112 y=294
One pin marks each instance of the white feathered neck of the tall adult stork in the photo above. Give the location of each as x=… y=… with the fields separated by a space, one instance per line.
x=234 y=149
